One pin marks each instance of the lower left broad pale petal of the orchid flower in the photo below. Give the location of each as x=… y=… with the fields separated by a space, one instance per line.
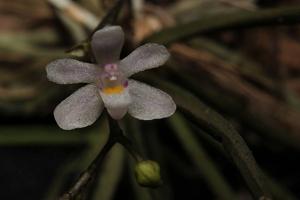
x=79 y=110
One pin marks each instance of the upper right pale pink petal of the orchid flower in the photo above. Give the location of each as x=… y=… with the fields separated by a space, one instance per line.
x=145 y=57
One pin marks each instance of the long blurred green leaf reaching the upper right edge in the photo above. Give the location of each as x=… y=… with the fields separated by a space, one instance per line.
x=280 y=16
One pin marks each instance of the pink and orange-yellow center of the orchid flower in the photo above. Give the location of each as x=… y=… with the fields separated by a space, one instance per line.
x=112 y=80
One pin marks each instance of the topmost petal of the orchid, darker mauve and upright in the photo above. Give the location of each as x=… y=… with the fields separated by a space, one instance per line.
x=107 y=44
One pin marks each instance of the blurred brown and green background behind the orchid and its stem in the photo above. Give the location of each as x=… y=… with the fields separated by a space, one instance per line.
x=233 y=62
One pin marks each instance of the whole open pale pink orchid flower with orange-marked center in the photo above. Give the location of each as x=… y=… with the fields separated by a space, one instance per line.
x=108 y=84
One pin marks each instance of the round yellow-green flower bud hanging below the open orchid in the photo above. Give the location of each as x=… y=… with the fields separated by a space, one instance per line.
x=147 y=173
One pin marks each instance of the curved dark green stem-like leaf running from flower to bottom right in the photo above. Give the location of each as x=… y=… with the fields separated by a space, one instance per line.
x=215 y=124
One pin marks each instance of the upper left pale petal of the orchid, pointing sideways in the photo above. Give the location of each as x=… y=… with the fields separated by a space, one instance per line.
x=67 y=71
